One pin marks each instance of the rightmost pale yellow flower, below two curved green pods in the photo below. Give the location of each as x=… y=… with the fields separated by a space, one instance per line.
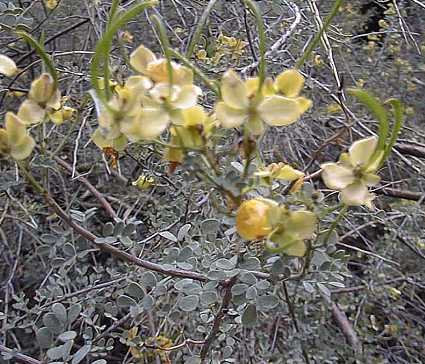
x=354 y=173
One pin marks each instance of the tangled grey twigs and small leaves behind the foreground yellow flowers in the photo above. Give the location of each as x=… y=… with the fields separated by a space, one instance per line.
x=63 y=300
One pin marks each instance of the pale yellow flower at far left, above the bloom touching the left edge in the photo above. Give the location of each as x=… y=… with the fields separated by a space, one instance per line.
x=42 y=98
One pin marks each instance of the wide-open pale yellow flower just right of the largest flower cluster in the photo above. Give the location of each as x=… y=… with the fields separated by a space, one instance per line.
x=242 y=104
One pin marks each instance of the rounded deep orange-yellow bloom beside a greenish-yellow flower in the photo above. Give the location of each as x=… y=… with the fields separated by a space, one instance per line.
x=253 y=218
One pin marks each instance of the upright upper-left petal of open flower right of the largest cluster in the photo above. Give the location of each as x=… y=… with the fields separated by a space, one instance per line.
x=234 y=91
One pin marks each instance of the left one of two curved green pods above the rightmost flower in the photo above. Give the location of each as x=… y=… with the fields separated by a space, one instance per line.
x=378 y=112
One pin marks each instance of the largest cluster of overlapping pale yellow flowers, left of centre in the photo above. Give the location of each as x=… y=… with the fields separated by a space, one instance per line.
x=160 y=94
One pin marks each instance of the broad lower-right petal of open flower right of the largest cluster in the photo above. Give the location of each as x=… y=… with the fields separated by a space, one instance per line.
x=279 y=110
